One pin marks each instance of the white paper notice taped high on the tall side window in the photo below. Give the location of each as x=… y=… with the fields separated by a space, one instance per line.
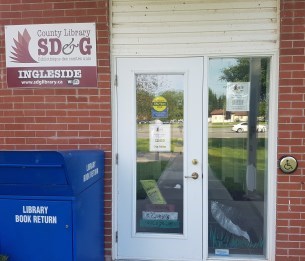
x=238 y=96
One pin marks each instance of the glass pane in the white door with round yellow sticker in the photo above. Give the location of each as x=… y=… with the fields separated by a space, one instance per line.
x=159 y=178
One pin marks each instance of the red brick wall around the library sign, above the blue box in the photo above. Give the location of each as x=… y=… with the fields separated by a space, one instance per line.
x=60 y=118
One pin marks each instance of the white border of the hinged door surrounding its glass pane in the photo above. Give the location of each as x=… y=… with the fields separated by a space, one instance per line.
x=171 y=245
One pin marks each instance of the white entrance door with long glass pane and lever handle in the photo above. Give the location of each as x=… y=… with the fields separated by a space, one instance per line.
x=159 y=165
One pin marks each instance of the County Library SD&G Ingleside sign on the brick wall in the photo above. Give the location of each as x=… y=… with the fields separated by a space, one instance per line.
x=51 y=55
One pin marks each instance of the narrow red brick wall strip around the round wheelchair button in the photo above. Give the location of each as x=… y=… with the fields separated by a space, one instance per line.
x=290 y=232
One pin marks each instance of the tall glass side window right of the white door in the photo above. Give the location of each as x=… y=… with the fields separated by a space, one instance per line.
x=237 y=155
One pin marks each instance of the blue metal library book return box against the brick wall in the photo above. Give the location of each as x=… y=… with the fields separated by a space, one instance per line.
x=51 y=205
